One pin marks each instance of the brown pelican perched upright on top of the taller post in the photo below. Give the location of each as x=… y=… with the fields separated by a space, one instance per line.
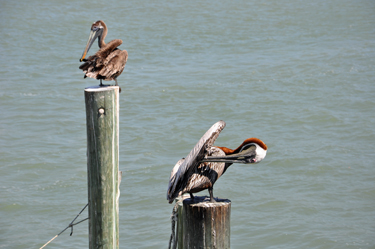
x=109 y=62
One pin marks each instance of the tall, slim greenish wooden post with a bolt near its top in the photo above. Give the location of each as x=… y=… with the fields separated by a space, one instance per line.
x=102 y=121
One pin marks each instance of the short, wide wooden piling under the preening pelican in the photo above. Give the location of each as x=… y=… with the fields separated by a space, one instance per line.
x=204 y=224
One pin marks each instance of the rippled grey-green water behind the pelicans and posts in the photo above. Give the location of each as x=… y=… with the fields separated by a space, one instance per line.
x=297 y=74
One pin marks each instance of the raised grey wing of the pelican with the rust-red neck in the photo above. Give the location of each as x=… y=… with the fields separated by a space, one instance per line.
x=182 y=170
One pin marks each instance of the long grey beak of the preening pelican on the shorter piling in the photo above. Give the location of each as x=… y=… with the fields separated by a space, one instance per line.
x=245 y=156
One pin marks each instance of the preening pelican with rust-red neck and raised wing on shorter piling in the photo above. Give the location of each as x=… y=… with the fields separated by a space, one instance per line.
x=206 y=163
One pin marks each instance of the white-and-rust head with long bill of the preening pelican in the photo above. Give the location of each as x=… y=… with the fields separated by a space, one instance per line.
x=252 y=150
